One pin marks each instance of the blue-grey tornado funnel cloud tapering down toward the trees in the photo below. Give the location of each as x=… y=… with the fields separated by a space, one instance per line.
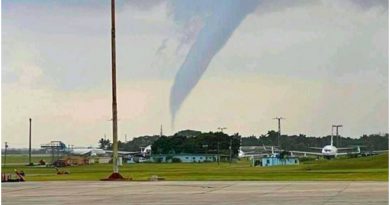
x=218 y=28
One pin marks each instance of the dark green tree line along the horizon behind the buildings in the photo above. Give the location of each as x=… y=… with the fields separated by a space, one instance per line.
x=191 y=141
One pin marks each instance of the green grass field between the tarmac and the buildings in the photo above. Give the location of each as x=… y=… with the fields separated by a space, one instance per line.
x=374 y=168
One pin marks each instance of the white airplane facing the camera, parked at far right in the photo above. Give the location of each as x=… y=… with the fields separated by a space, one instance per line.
x=329 y=151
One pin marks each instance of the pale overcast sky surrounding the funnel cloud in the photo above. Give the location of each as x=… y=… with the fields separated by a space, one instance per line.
x=315 y=63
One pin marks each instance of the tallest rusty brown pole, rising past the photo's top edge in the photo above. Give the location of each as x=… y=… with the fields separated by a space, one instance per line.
x=114 y=102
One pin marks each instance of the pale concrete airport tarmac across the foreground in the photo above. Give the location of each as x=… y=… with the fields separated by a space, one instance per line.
x=199 y=192
